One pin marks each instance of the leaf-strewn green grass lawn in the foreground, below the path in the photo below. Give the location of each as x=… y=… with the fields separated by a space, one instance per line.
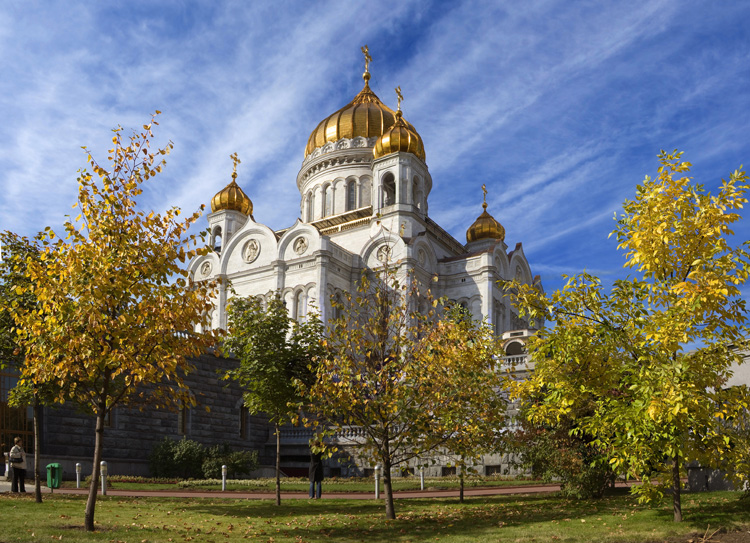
x=518 y=518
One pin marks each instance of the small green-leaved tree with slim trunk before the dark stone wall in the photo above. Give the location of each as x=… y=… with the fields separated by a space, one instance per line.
x=274 y=352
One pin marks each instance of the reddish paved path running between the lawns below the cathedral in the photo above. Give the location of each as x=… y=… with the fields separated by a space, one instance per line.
x=483 y=491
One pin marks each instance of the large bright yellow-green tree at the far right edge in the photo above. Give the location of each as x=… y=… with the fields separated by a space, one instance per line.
x=649 y=360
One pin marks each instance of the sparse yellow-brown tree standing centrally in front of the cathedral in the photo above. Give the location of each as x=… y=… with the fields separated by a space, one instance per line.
x=398 y=373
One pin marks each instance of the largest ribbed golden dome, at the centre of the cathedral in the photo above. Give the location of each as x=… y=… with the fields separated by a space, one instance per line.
x=365 y=116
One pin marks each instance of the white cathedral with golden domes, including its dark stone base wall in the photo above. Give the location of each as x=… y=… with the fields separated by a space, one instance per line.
x=364 y=191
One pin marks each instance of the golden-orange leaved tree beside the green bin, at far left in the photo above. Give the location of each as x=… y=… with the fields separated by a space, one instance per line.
x=115 y=308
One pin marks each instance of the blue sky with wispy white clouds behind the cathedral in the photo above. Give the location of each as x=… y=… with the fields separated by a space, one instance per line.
x=559 y=107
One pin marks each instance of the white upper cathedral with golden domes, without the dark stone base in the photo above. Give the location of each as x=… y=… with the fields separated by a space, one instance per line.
x=364 y=197
